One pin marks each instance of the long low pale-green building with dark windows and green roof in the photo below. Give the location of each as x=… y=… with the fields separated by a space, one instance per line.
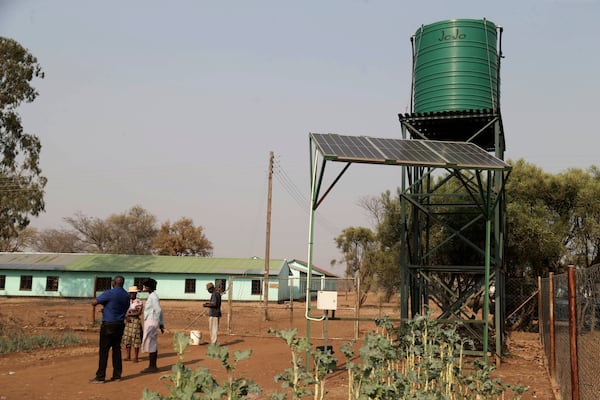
x=179 y=278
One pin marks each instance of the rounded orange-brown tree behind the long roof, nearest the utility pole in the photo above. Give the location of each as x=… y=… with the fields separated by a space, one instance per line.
x=182 y=238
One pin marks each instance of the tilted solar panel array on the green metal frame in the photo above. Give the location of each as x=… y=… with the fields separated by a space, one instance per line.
x=371 y=150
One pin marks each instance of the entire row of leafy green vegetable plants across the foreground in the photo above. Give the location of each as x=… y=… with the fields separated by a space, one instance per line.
x=422 y=358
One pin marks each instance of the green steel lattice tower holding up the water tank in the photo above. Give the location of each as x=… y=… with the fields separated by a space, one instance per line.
x=455 y=210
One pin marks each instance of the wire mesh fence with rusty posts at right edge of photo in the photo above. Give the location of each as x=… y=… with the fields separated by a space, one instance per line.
x=570 y=330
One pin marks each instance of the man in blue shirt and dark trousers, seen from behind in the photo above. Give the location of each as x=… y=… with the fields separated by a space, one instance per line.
x=116 y=303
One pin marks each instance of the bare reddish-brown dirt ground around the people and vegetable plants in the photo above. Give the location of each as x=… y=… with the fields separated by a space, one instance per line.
x=64 y=373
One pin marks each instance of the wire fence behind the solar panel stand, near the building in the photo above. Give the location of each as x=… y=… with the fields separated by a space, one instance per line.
x=348 y=321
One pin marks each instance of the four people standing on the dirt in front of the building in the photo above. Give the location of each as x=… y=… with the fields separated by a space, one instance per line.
x=122 y=325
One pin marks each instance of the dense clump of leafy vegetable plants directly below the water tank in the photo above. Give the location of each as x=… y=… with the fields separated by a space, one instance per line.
x=421 y=359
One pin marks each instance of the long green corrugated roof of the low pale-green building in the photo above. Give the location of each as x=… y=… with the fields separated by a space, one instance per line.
x=127 y=263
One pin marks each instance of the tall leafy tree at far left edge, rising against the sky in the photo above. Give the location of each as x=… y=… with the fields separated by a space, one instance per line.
x=21 y=182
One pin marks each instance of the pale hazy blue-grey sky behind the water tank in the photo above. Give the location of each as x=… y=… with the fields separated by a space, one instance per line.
x=175 y=105
